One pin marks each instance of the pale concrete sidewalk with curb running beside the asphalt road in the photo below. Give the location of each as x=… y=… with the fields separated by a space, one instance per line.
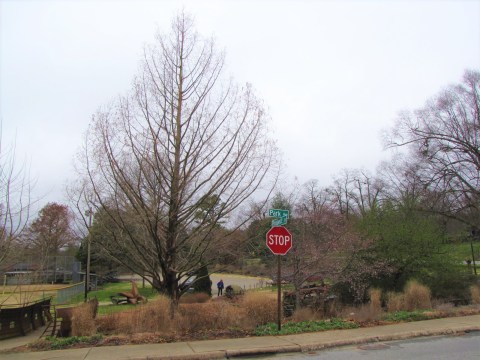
x=228 y=348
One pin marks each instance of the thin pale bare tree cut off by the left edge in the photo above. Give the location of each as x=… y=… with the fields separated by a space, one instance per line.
x=15 y=201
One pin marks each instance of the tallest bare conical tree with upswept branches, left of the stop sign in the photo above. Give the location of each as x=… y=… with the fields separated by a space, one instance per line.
x=183 y=136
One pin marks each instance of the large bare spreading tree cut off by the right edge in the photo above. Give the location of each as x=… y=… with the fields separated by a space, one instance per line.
x=444 y=139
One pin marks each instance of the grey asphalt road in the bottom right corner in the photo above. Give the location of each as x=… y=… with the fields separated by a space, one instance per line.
x=465 y=347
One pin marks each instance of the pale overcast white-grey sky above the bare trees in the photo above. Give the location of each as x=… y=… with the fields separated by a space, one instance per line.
x=332 y=73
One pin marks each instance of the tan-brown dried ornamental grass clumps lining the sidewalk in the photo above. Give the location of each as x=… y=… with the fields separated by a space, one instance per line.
x=223 y=317
